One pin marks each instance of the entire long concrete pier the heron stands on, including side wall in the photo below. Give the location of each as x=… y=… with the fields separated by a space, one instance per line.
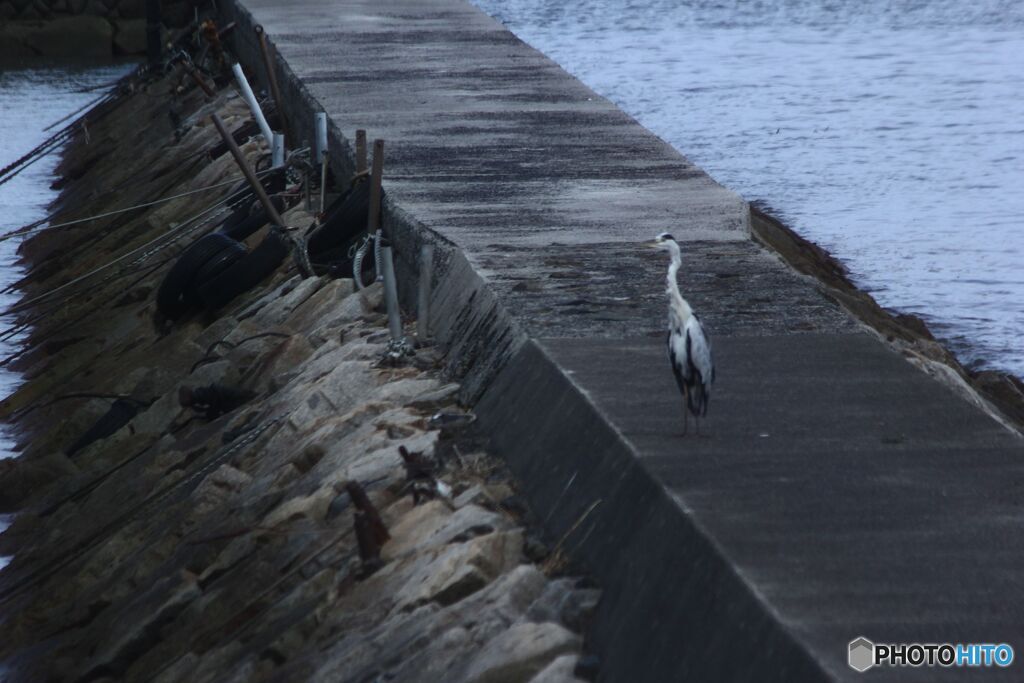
x=838 y=491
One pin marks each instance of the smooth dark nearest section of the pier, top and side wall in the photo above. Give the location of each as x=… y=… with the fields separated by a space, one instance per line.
x=831 y=502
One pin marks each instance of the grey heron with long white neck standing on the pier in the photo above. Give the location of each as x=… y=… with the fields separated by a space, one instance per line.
x=690 y=346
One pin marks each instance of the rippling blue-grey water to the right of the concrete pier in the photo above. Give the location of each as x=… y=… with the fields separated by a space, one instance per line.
x=892 y=134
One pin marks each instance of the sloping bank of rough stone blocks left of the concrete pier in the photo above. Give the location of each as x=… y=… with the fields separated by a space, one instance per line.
x=231 y=530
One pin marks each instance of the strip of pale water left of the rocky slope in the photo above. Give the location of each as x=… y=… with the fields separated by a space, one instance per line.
x=31 y=100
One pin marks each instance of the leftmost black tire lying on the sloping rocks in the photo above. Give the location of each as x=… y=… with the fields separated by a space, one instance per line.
x=177 y=293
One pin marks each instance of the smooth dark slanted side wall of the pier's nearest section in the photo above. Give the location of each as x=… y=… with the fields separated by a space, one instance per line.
x=676 y=607
